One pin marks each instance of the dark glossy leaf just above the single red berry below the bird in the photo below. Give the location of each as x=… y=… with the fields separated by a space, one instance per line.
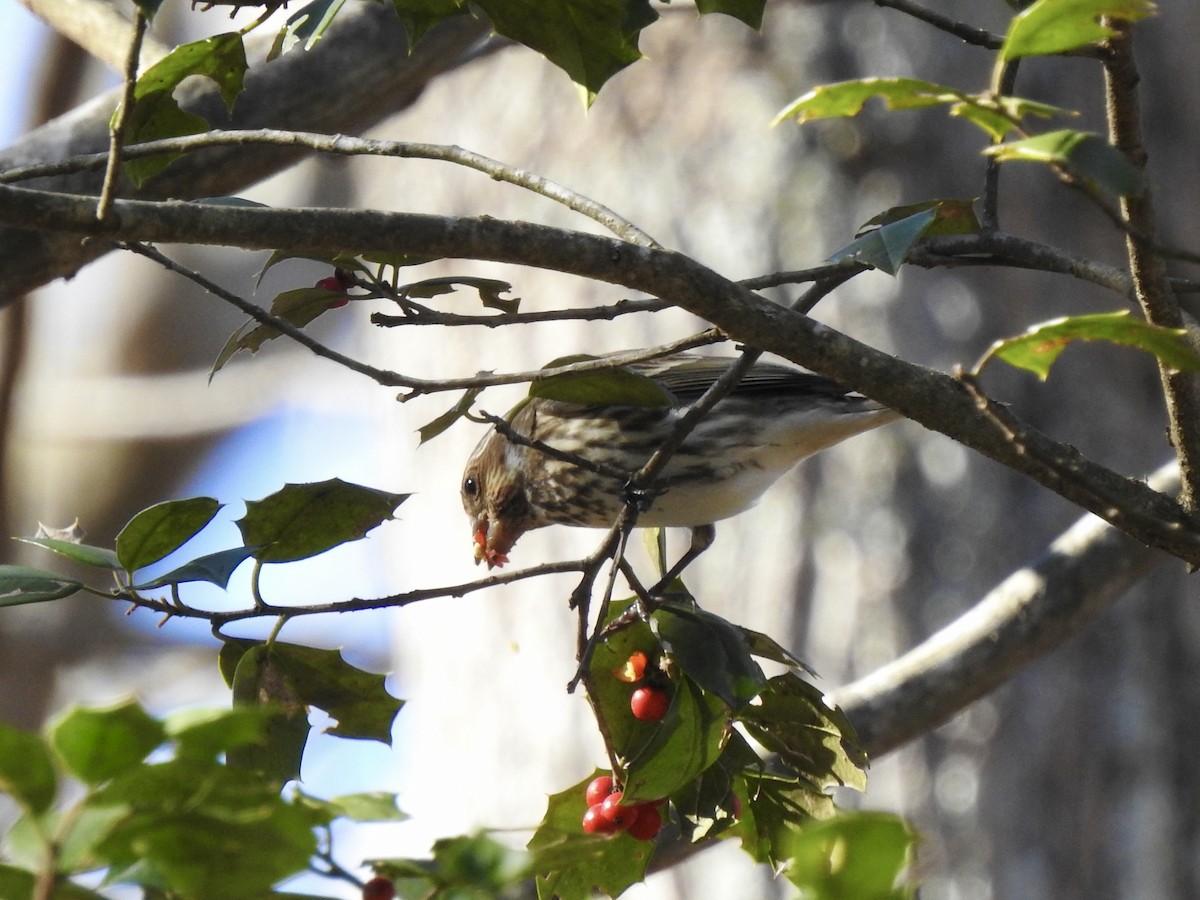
x=710 y=651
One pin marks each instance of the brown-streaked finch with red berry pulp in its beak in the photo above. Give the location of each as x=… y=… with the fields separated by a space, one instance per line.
x=775 y=418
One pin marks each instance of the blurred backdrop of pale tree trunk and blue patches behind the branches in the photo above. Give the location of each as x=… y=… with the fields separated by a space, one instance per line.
x=1076 y=781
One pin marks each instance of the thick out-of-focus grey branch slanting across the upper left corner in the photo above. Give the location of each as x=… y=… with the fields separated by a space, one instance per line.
x=357 y=75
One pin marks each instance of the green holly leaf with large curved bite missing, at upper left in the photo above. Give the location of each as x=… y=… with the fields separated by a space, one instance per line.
x=157 y=115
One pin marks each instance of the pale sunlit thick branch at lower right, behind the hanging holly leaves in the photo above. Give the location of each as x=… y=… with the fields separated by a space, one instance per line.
x=1024 y=619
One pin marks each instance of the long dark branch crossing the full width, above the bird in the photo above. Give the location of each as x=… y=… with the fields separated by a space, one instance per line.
x=929 y=398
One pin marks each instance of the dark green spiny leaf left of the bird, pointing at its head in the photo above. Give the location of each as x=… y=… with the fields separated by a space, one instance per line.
x=302 y=521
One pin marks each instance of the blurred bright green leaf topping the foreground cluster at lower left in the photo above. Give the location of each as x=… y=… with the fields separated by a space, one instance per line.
x=99 y=745
